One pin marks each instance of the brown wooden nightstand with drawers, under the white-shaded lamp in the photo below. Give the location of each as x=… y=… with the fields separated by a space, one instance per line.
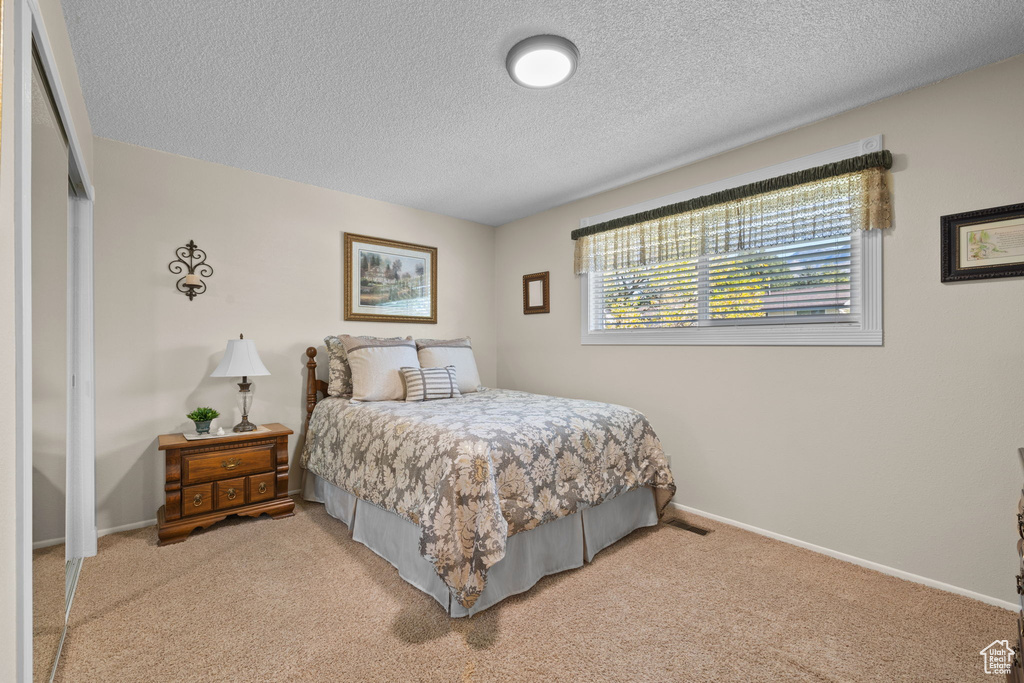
x=208 y=480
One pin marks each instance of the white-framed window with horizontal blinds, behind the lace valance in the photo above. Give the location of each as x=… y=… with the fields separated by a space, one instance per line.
x=800 y=275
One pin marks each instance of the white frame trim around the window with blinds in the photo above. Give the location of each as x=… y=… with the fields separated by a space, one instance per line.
x=867 y=332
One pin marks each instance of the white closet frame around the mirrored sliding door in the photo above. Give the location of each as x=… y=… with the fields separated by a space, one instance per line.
x=29 y=30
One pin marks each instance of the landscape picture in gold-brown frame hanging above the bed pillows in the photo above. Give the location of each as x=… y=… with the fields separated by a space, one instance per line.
x=389 y=281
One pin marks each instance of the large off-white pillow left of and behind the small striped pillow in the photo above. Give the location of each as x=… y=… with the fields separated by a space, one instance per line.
x=376 y=365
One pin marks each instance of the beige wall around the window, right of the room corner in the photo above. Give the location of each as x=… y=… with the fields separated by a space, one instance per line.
x=905 y=455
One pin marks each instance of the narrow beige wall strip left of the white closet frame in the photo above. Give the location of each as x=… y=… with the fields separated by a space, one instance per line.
x=9 y=588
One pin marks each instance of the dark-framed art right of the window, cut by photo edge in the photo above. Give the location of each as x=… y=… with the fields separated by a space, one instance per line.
x=984 y=244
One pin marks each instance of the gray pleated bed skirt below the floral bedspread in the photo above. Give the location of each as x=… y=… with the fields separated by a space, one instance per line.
x=564 y=544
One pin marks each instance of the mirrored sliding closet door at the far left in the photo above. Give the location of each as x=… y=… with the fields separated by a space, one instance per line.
x=50 y=375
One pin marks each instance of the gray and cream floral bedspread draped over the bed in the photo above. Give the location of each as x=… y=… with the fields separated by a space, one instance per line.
x=475 y=471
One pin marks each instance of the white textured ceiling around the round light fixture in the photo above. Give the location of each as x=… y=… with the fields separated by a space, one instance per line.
x=410 y=103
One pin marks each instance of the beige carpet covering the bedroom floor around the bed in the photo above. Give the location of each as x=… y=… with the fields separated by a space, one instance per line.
x=297 y=601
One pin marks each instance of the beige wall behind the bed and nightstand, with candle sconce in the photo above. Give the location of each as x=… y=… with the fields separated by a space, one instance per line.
x=276 y=248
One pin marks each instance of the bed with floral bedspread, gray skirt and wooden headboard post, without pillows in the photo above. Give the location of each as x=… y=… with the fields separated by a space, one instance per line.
x=477 y=498
